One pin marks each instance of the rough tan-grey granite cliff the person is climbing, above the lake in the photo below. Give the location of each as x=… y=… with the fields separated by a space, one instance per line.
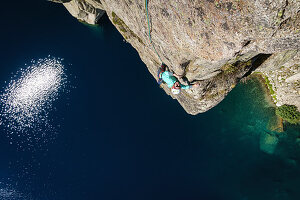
x=213 y=42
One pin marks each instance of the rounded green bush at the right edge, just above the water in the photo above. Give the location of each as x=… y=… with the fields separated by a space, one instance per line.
x=289 y=113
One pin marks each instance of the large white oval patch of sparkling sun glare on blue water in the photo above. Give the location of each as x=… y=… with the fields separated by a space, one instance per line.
x=28 y=98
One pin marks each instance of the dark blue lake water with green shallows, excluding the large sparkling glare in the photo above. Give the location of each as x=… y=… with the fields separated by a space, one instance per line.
x=114 y=142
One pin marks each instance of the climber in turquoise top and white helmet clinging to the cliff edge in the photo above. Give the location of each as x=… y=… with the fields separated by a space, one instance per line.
x=172 y=80
